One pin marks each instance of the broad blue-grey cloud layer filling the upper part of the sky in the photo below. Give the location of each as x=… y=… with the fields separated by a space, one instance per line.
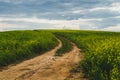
x=53 y=9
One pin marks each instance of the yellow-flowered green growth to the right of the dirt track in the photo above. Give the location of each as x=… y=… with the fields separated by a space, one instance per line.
x=101 y=53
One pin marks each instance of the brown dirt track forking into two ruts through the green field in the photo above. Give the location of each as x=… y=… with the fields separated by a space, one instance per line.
x=45 y=67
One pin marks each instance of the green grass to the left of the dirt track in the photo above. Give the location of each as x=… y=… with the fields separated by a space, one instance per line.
x=20 y=45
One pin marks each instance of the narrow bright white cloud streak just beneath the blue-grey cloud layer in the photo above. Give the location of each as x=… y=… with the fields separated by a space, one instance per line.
x=37 y=20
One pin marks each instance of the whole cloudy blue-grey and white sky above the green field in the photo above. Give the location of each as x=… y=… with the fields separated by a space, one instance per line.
x=60 y=14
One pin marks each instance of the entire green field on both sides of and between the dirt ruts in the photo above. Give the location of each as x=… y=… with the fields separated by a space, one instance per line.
x=101 y=50
